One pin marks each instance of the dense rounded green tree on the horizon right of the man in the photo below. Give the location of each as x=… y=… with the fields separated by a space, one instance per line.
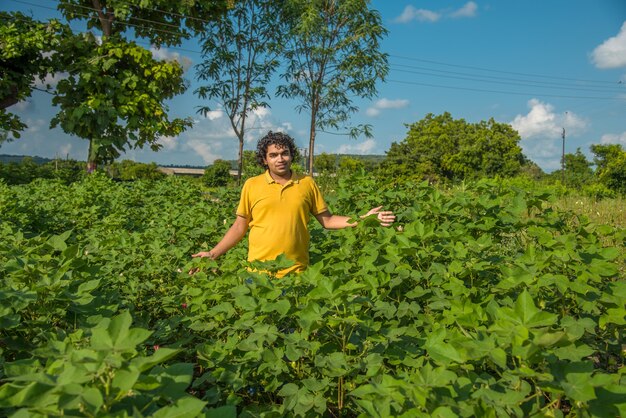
x=443 y=148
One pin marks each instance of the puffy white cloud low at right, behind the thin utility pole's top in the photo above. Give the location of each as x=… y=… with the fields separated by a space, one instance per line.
x=542 y=122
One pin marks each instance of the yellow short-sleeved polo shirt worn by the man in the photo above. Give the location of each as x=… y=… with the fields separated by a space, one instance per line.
x=278 y=216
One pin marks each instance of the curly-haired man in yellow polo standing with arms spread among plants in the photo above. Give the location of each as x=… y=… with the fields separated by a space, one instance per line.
x=276 y=207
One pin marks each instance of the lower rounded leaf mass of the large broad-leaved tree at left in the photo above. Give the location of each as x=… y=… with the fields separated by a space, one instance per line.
x=114 y=97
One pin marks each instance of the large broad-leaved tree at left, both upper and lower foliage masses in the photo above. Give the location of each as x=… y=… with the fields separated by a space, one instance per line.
x=115 y=93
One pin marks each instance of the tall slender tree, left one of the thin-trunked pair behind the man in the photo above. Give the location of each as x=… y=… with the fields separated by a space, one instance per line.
x=240 y=53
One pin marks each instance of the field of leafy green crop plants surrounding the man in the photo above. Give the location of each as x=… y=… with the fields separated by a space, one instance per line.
x=486 y=300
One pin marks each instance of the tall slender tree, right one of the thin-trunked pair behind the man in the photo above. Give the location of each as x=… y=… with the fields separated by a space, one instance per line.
x=333 y=54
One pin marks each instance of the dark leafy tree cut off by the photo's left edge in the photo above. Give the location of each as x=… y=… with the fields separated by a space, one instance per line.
x=27 y=51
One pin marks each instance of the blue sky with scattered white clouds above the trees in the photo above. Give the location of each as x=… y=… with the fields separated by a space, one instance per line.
x=541 y=66
